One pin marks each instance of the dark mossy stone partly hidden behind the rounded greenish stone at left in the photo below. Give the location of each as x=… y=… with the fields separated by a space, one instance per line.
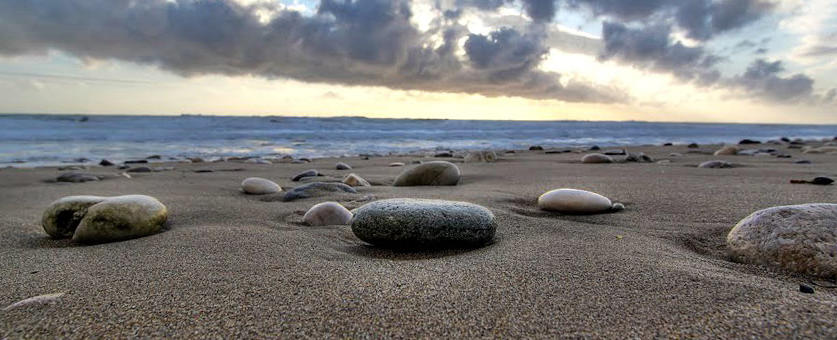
x=61 y=217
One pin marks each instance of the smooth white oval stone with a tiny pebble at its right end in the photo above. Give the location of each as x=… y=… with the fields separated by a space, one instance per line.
x=574 y=201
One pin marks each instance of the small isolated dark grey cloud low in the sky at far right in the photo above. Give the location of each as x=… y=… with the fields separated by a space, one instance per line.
x=762 y=79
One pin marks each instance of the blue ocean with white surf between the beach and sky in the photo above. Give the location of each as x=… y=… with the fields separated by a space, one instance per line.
x=37 y=140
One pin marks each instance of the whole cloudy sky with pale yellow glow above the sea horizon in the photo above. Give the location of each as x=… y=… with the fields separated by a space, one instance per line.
x=762 y=61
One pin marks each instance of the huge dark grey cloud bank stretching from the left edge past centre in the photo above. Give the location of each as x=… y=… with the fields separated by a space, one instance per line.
x=355 y=42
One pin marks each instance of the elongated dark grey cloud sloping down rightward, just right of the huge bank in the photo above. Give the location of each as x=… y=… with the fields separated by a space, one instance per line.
x=652 y=48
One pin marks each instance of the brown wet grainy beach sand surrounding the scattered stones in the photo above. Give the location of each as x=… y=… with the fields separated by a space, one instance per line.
x=232 y=265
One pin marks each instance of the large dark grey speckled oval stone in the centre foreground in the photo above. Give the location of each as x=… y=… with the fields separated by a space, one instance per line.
x=406 y=222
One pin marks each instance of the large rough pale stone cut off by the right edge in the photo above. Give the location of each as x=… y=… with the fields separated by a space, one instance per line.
x=800 y=238
